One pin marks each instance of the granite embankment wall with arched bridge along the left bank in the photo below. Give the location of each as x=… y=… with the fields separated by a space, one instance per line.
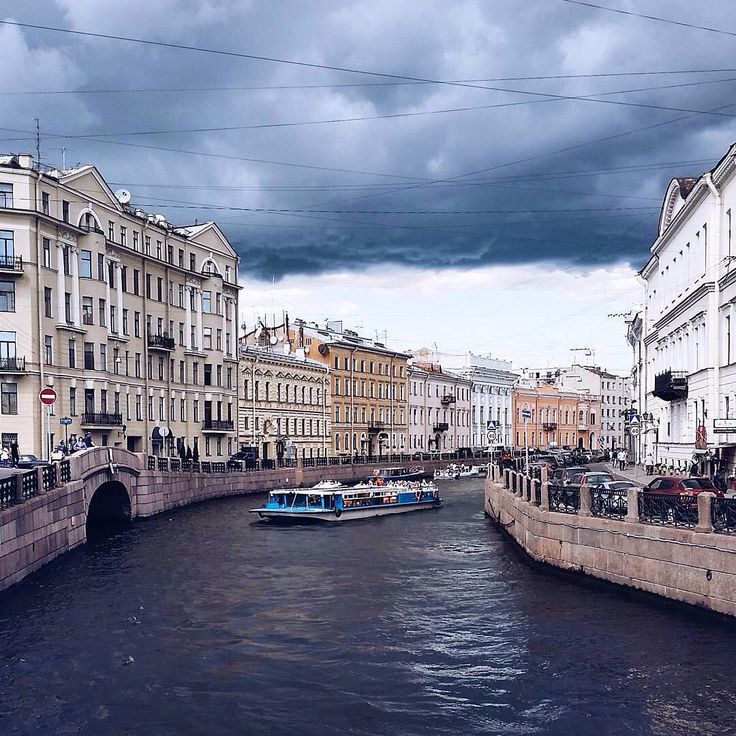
x=43 y=526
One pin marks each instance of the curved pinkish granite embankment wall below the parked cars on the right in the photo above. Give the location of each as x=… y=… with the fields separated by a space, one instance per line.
x=695 y=566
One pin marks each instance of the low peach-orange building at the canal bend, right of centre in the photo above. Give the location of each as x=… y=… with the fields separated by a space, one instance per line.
x=555 y=417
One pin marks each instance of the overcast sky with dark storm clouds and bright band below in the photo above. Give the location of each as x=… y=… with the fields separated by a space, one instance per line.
x=513 y=227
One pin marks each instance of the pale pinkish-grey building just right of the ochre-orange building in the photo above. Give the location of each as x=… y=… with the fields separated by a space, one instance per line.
x=439 y=409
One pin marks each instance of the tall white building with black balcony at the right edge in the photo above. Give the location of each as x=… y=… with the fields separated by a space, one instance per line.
x=686 y=354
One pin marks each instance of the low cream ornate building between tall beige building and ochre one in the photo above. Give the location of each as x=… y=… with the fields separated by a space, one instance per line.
x=284 y=403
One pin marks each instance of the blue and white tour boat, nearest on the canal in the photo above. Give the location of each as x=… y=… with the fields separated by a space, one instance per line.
x=339 y=504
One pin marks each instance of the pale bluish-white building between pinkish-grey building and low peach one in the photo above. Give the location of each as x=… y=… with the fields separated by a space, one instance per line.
x=491 y=396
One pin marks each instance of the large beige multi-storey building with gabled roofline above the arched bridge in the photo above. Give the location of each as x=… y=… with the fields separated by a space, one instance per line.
x=131 y=320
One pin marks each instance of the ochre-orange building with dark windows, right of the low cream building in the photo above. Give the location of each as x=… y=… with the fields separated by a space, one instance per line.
x=368 y=388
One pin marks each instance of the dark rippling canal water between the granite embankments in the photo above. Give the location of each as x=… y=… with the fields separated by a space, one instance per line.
x=204 y=622
